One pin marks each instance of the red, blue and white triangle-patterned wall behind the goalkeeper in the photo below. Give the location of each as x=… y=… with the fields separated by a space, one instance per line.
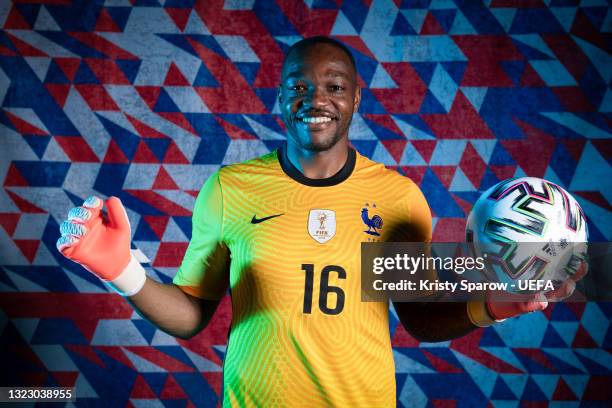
x=143 y=99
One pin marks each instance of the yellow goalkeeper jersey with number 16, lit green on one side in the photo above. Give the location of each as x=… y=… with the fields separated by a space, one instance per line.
x=288 y=249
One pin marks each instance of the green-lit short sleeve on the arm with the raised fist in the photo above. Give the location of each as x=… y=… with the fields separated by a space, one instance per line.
x=204 y=272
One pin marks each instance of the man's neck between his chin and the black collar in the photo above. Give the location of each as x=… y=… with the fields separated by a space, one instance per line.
x=318 y=165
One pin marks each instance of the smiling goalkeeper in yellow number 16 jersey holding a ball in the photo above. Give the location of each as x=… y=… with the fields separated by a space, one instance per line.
x=283 y=233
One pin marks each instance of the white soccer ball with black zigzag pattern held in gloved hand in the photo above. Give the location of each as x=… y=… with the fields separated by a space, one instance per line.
x=528 y=229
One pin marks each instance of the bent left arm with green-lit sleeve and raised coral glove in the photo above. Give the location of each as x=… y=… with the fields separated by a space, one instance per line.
x=102 y=245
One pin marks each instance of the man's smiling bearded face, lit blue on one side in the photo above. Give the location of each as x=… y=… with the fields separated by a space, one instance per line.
x=318 y=95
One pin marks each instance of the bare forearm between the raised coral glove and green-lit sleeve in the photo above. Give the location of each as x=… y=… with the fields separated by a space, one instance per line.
x=171 y=309
